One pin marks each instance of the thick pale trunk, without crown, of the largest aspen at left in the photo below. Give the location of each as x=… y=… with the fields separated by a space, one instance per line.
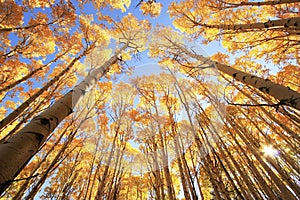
x=18 y=150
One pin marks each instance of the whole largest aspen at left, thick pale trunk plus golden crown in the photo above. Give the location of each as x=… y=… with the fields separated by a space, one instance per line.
x=23 y=145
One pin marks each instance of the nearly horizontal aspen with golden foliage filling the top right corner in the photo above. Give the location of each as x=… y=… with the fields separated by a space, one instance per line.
x=257 y=31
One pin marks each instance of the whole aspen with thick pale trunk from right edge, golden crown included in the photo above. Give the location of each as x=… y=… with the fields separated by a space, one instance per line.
x=170 y=46
